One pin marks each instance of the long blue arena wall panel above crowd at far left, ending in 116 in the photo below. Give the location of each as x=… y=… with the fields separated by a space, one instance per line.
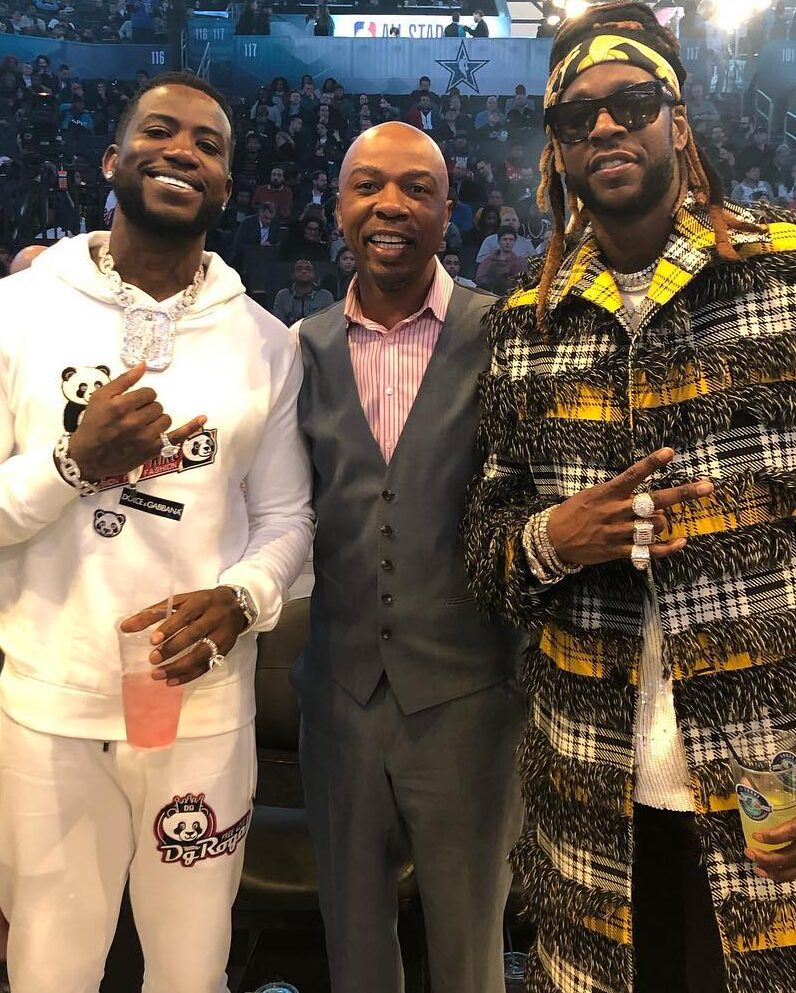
x=89 y=61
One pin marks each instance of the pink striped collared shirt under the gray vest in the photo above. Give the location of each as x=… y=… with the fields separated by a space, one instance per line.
x=389 y=363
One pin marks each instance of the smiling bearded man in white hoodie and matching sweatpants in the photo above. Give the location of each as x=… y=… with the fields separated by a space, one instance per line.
x=103 y=508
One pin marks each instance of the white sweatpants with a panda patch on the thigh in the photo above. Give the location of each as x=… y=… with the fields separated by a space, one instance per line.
x=78 y=816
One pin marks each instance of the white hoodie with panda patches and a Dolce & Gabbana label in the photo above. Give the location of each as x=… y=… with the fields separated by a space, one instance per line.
x=71 y=566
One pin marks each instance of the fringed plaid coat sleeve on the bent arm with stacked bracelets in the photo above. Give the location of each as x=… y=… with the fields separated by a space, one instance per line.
x=499 y=503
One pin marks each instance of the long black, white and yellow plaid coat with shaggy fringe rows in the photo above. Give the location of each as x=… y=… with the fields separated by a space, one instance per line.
x=711 y=372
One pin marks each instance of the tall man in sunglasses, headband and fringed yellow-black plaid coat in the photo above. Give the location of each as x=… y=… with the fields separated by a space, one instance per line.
x=658 y=356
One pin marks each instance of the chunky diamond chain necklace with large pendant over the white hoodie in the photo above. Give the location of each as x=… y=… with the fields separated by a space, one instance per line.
x=149 y=333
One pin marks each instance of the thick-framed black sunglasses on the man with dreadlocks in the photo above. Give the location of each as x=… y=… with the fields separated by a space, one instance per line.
x=633 y=108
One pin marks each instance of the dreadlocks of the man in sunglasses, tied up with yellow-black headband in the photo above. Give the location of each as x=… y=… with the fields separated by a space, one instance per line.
x=652 y=46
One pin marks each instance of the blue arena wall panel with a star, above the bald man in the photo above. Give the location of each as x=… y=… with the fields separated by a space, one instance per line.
x=387 y=65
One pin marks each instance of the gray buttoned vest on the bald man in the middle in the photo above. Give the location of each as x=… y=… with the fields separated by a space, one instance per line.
x=391 y=593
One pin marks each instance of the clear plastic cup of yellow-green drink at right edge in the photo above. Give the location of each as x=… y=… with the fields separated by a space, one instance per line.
x=764 y=763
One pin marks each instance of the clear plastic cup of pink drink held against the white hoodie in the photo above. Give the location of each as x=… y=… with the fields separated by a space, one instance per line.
x=151 y=708
